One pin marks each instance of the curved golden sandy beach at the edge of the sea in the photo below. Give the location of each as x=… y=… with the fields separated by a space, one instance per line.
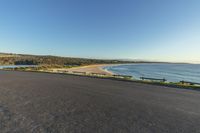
x=90 y=69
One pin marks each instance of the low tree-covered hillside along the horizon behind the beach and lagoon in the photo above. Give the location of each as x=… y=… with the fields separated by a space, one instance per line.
x=16 y=59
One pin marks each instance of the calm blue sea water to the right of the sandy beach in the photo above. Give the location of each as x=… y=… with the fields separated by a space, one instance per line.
x=171 y=72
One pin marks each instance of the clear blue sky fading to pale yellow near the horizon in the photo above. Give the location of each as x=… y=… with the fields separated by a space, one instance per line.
x=155 y=30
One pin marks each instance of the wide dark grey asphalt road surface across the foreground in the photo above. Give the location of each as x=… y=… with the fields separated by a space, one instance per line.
x=53 y=103
